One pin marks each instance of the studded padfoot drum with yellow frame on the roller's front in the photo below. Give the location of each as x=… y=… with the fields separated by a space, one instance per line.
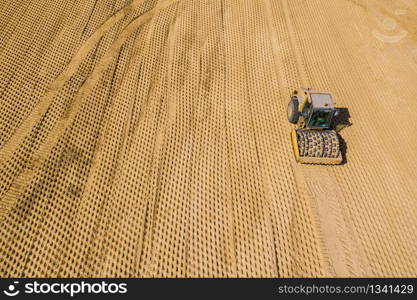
x=316 y=146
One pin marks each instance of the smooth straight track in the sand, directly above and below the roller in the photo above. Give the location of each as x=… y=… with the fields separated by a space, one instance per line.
x=322 y=190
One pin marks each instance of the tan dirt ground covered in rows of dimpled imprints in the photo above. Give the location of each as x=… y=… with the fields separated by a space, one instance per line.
x=149 y=138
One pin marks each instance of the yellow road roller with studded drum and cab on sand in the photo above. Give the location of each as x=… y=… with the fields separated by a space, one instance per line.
x=313 y=138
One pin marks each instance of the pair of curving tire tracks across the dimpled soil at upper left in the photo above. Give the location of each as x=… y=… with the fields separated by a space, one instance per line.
x=38 y=159
